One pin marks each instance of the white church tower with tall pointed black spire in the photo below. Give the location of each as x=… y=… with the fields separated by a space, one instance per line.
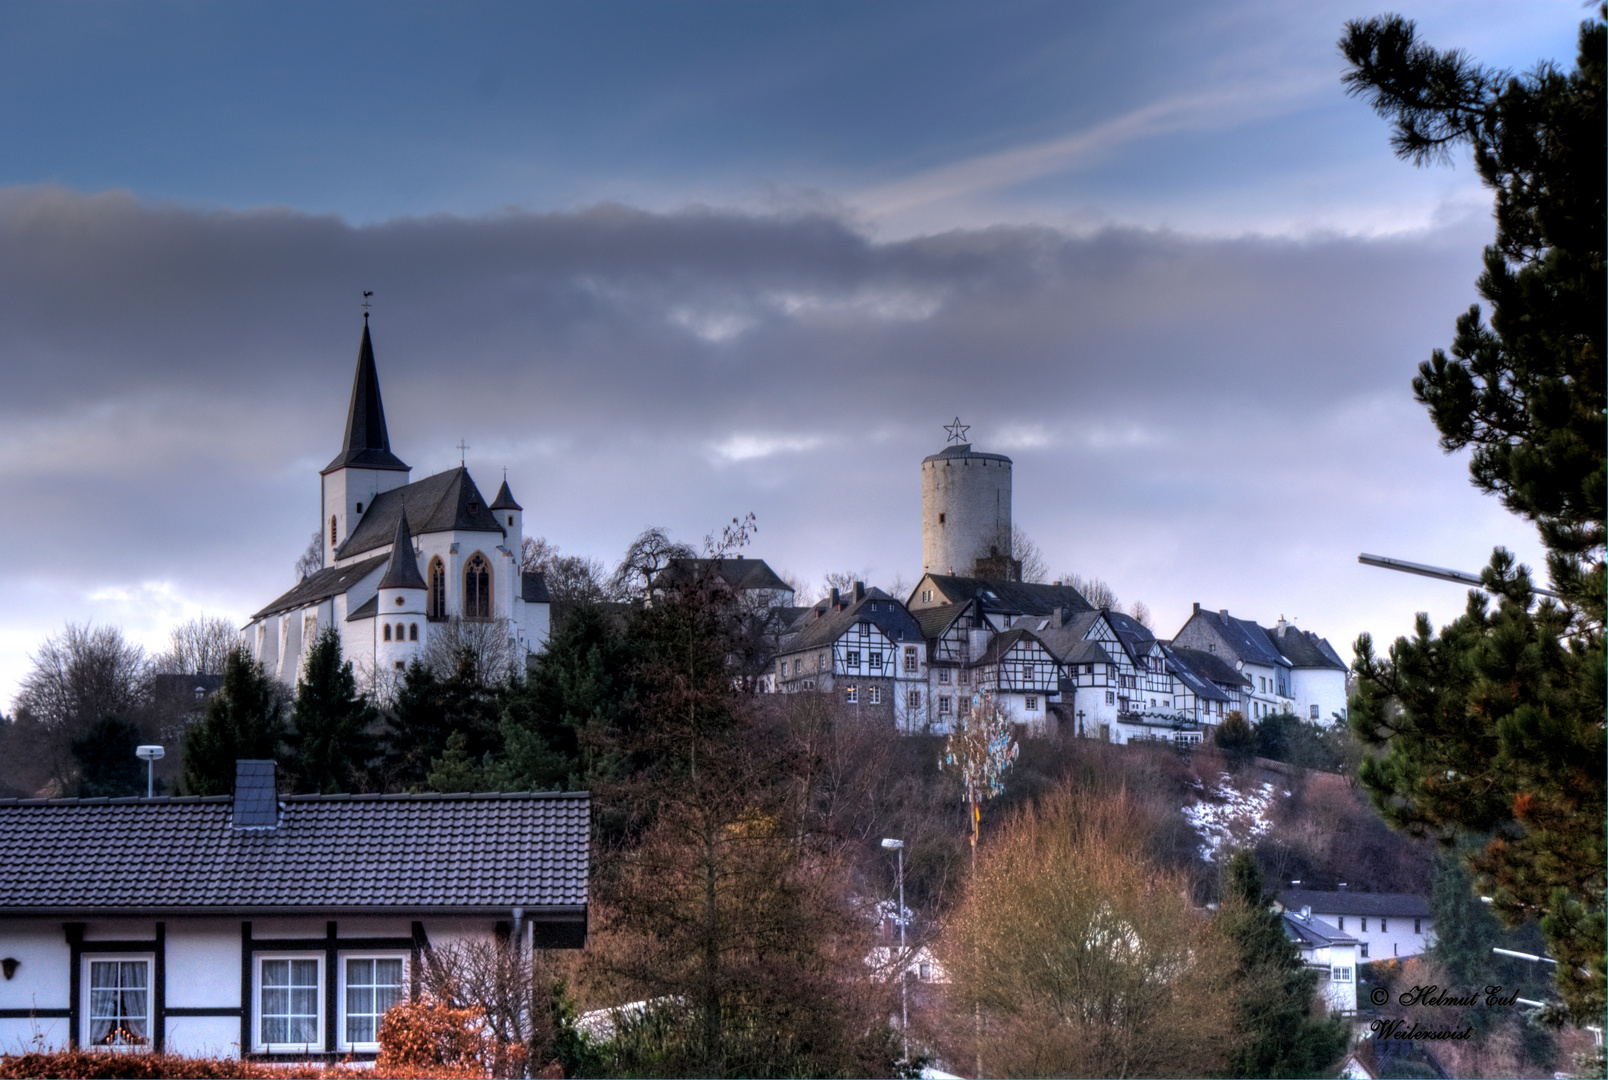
x=366 y=465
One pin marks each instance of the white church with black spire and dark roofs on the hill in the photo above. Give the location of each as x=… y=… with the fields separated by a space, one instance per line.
x=403 y=560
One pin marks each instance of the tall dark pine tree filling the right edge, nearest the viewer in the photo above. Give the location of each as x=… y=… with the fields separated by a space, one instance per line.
x=1496 y=727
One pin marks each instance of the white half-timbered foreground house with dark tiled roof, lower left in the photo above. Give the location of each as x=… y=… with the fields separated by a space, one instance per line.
x=265 y=925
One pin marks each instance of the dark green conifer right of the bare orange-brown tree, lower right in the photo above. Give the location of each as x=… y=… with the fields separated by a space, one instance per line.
x=1279 y=1036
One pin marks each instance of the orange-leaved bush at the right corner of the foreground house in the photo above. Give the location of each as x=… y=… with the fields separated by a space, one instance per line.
x=433 y=1039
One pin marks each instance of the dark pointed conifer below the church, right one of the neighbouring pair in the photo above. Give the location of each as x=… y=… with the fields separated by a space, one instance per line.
x=332 y=743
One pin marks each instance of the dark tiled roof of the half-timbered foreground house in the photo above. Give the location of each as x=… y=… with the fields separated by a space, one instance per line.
x=329 y=854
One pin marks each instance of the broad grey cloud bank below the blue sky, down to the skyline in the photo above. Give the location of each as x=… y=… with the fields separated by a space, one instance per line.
x=174 y=377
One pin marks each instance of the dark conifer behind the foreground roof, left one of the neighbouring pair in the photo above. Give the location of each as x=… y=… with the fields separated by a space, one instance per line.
x=245 y=719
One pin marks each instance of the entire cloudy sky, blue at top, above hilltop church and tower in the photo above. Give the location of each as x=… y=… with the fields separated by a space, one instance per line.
x=670 y=264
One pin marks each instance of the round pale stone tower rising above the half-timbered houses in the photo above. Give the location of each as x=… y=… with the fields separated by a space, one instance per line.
x=966 y=509
